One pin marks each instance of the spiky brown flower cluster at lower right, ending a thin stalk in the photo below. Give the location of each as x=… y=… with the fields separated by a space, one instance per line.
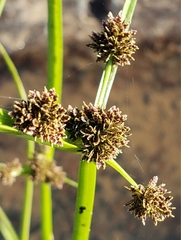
x=150 y=201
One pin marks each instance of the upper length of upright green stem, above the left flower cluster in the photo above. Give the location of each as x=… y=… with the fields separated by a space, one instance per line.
x=55 y=46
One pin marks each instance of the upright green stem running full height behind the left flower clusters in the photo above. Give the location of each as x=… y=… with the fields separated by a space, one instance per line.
x=55 y=72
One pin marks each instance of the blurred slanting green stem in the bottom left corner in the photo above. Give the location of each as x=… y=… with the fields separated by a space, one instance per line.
x=6 y=227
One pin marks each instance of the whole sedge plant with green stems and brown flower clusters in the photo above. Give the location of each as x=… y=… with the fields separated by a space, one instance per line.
x=97 y=134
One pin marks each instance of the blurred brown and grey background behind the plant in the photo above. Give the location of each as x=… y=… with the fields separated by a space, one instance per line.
x=148 y=91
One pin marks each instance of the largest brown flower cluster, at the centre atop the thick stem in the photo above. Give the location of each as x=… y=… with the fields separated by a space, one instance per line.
x=100 y=134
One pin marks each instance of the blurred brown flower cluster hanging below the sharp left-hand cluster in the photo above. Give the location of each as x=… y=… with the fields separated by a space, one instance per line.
x=44 y=170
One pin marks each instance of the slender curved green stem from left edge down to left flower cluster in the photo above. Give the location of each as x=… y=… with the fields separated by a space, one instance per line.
x=14 y=72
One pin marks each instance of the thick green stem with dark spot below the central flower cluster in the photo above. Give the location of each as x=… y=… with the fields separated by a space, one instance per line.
x=85 y=200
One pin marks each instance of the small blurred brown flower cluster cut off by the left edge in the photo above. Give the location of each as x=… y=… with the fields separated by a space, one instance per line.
x=9 y=172
